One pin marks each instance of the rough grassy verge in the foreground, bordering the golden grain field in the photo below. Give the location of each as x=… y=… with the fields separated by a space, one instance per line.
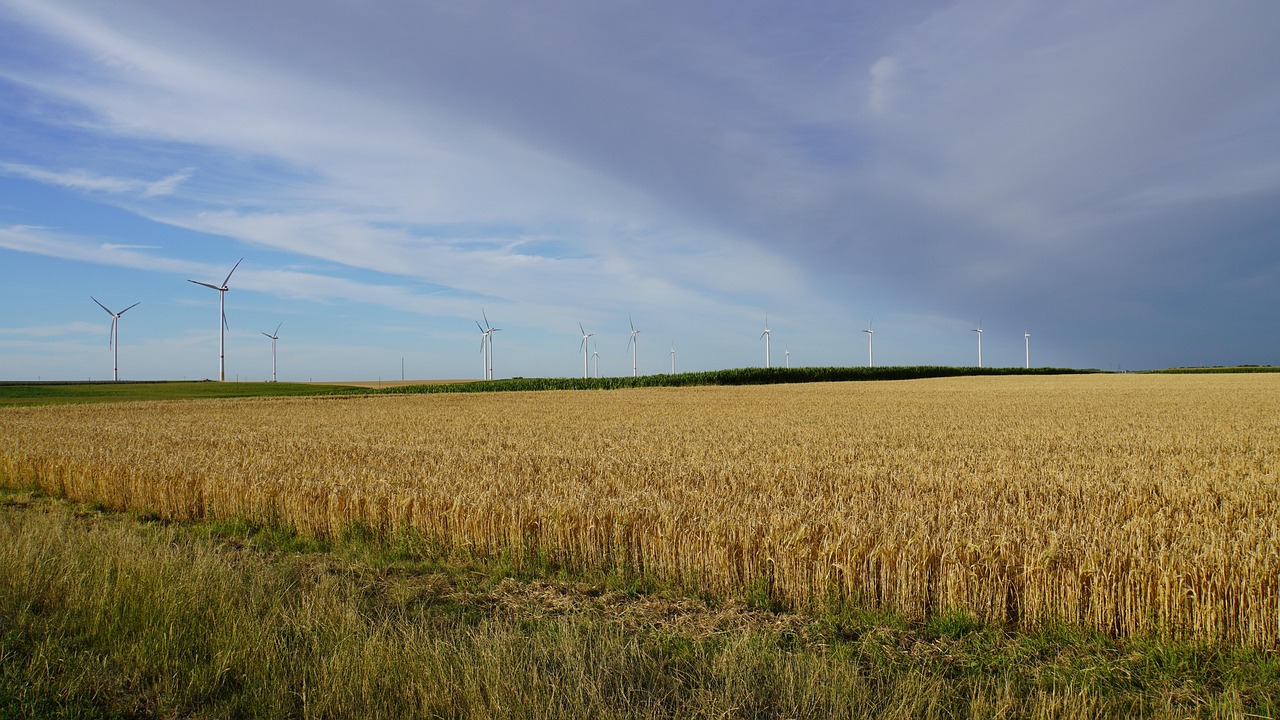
x=113 y=616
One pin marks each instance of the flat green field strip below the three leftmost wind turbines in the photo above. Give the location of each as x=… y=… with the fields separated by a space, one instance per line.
x=65 y=394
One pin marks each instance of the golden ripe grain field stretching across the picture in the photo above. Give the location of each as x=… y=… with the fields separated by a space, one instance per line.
x=1128 y=504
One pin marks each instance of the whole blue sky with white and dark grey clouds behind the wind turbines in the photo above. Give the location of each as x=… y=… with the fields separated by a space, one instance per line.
x=1103 y=175
